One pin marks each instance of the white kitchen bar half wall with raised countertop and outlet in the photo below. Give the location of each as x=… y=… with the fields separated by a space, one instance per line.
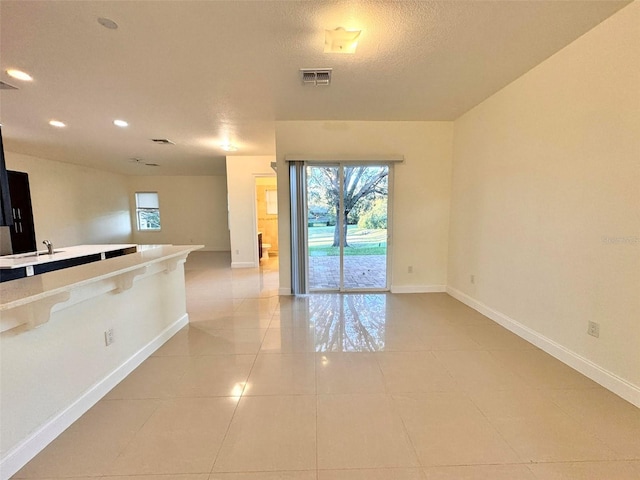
x=68 y=336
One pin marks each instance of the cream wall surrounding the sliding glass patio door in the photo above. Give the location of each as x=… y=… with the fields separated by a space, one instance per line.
x=420 y=196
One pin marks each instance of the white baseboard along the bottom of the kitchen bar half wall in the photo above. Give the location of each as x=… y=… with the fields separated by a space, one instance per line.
x=18 y=456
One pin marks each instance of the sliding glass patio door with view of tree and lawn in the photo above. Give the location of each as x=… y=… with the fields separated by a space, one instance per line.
x=347 y=212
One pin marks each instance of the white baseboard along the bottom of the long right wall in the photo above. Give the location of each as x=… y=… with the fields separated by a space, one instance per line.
x=608 y=380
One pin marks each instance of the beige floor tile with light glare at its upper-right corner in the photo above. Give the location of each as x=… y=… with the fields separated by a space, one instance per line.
x=183 y=436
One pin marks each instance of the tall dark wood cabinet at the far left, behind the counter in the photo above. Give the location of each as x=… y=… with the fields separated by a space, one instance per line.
x=23 y=232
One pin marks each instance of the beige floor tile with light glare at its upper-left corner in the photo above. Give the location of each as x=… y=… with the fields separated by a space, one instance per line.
x=270 y=433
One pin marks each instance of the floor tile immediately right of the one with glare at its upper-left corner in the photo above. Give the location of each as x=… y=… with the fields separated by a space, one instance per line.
x=361 y=431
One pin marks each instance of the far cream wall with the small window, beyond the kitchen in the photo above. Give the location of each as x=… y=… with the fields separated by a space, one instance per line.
x=193 y=210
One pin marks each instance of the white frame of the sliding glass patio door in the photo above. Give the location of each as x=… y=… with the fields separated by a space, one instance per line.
x=340 y=218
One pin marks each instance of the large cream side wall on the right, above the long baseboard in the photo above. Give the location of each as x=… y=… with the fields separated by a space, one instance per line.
x=546 y=201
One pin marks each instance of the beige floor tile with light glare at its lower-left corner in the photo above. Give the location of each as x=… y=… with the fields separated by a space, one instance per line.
x=283 y=374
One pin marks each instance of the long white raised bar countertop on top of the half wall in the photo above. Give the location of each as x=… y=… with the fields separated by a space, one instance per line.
x=26 y=290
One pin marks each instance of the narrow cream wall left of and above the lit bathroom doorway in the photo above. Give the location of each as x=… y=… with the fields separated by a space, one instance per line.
x=241 y=184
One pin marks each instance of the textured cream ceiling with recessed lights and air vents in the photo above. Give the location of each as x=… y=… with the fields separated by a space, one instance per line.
x=204 y=72
